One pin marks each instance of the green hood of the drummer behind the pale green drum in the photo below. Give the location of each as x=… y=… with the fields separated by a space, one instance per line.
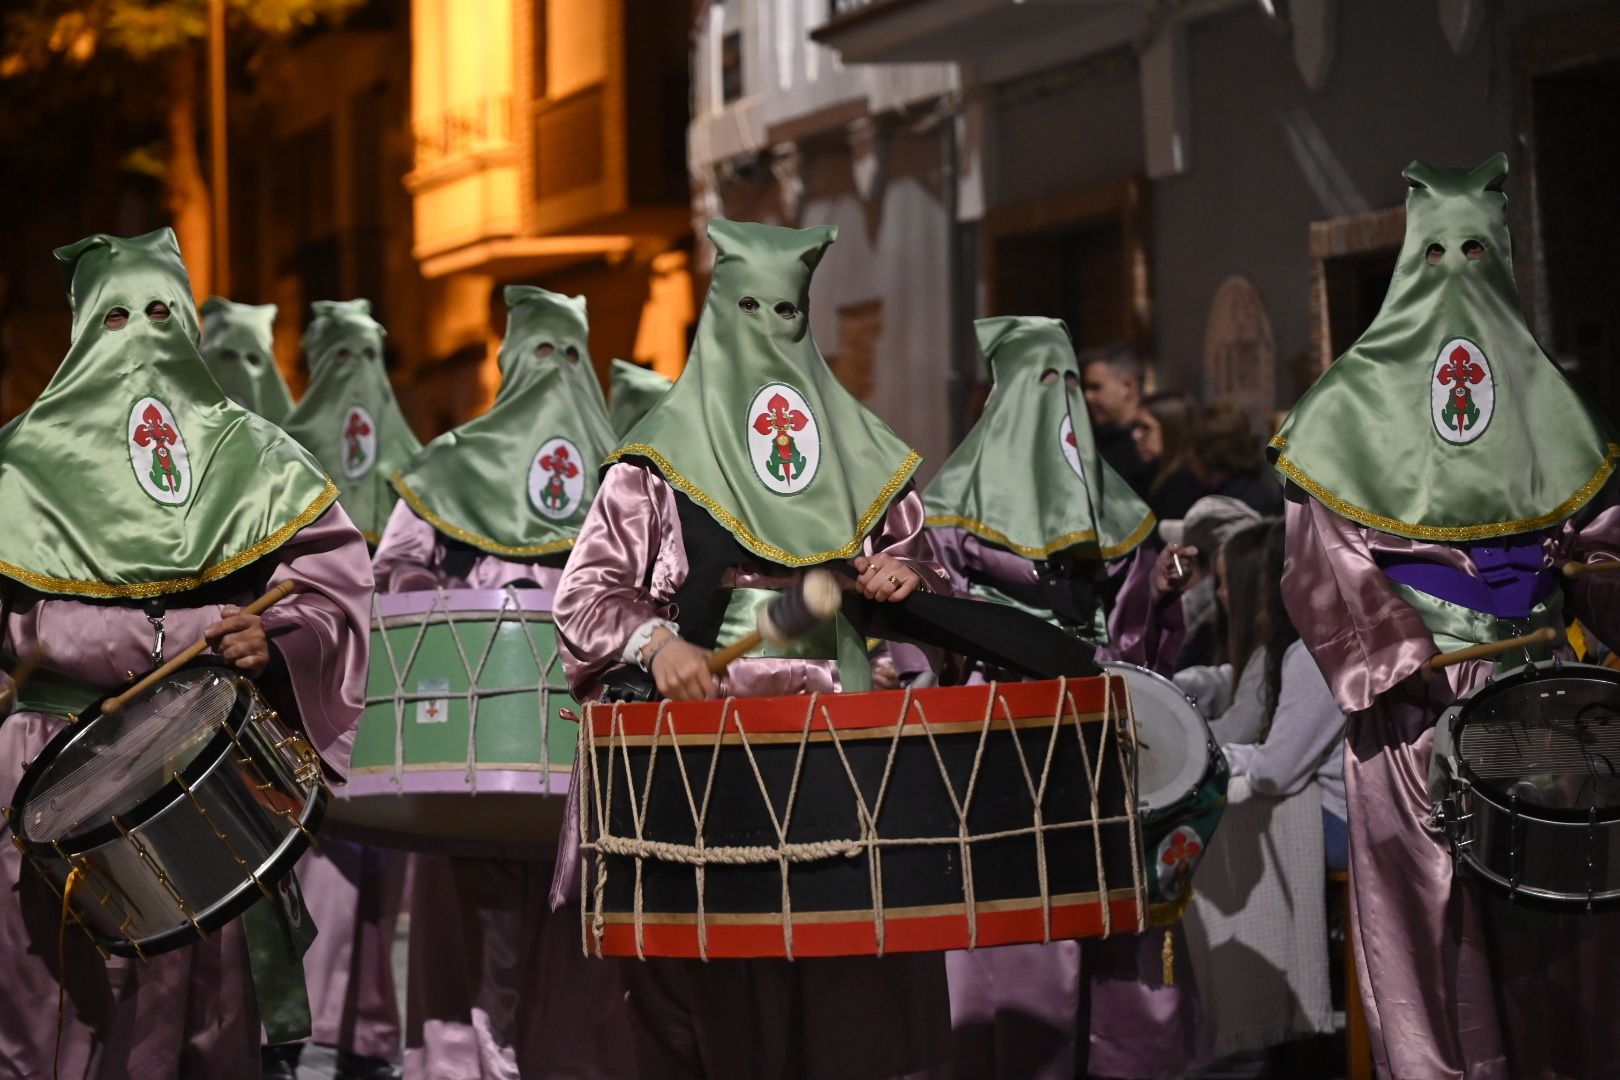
x=519 y=480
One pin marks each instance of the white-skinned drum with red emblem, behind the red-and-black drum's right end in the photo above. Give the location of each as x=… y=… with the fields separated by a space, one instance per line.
x=1180 y=786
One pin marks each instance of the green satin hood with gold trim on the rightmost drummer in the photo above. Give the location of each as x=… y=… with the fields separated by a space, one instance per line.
x=1446 y=422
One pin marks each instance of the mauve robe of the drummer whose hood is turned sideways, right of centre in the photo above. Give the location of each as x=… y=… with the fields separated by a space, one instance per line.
x=1099 y=1006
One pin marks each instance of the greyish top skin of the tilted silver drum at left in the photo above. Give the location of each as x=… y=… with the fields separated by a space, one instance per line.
x=114 y=763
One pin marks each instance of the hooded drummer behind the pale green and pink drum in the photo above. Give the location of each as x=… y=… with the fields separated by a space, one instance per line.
x=500 y=987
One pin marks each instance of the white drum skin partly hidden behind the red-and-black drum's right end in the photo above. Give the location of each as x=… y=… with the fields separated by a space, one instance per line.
x=1170 y=734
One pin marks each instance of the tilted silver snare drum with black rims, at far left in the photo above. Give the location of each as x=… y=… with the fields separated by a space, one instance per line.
x=174 y=815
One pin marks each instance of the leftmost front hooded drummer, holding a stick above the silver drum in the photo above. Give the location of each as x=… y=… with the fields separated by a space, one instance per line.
x=145 y=508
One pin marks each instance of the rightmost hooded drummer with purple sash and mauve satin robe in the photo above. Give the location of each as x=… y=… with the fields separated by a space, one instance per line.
x=1438 y=477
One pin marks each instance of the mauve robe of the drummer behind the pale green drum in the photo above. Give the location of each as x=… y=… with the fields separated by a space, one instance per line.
x=500 y=985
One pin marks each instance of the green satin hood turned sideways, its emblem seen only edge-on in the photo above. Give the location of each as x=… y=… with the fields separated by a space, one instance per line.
x=1030 y=477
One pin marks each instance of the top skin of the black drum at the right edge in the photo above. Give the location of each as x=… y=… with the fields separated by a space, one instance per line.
x=1546 y=736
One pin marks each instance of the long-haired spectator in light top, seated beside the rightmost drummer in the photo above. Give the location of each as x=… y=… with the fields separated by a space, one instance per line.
x=1269 y=707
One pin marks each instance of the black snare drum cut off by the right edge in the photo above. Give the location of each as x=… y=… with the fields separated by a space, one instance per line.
x=1532 y=802
